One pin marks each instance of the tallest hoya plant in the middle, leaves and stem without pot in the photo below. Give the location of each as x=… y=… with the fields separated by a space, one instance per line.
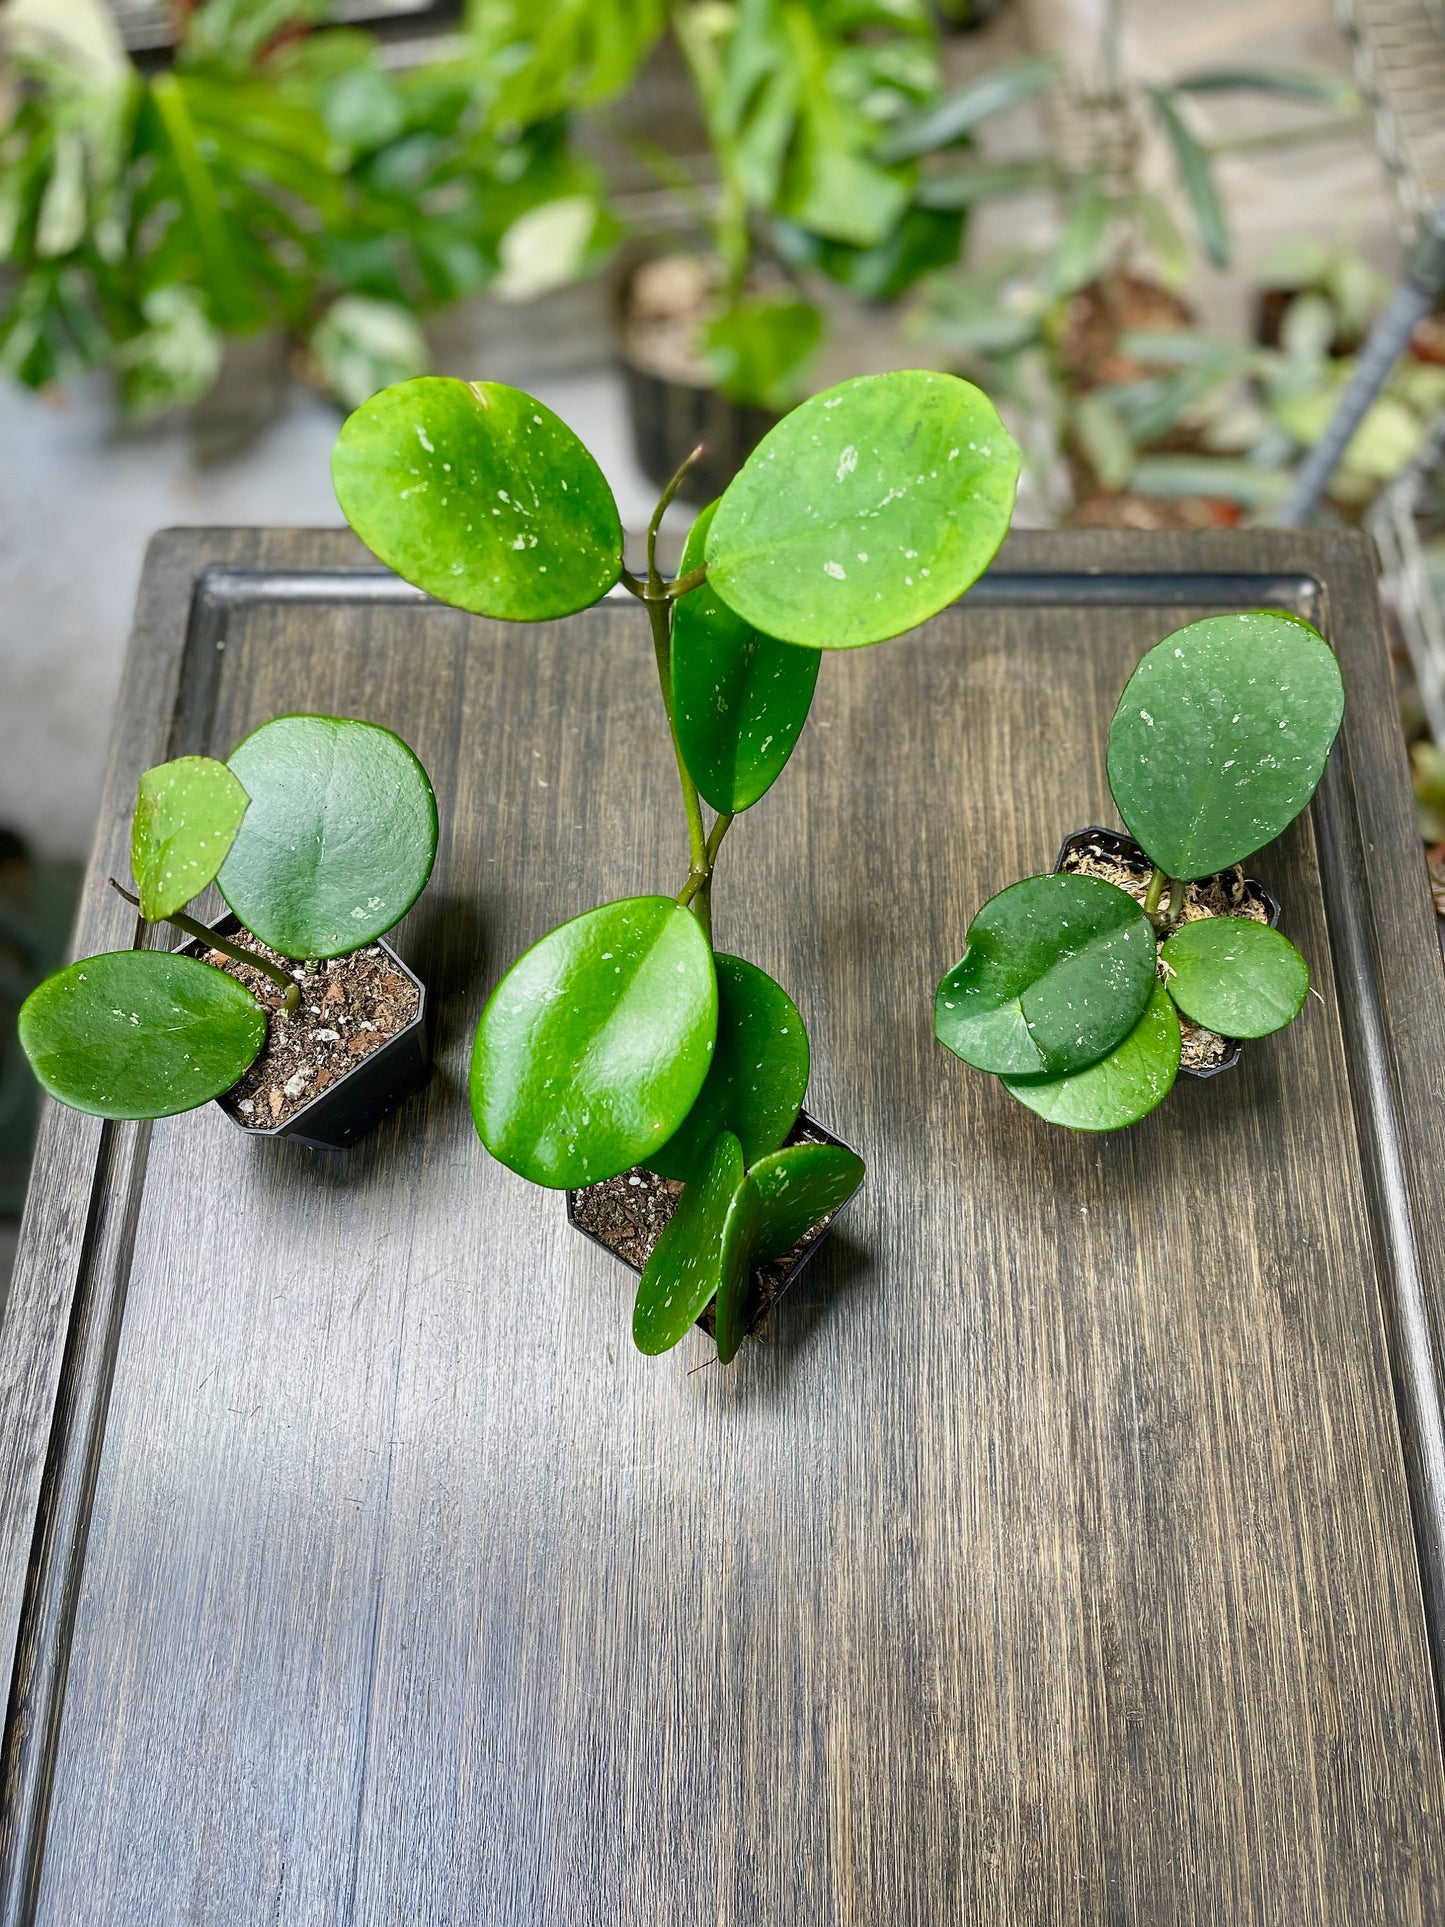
x=621 y=1040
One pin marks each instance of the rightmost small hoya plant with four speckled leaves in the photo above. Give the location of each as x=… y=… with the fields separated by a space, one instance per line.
x=1070 y=986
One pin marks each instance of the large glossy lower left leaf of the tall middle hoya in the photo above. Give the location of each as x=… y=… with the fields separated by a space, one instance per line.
x=596 y=1043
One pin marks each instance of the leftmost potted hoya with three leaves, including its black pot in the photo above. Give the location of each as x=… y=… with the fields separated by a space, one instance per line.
x=290 y=1011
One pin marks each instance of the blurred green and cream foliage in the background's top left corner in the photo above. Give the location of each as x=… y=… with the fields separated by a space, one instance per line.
x=280 y=178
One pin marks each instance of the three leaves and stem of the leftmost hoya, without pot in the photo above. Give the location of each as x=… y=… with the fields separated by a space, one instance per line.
x=319 y=833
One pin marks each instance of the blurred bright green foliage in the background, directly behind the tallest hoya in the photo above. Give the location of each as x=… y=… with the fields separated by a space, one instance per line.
x=818 y=120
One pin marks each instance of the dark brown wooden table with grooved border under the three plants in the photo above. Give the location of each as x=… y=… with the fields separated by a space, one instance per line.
x=1068 y=1552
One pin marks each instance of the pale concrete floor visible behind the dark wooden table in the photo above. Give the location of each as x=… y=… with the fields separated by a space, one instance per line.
x=80 y=494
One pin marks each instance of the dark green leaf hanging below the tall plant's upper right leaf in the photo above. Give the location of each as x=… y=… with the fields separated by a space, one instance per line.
x=739 y=699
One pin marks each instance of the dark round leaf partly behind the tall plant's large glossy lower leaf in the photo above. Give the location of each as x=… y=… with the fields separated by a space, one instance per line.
x=758 y=1080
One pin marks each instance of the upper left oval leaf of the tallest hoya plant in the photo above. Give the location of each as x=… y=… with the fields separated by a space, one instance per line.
x=481 y=496
